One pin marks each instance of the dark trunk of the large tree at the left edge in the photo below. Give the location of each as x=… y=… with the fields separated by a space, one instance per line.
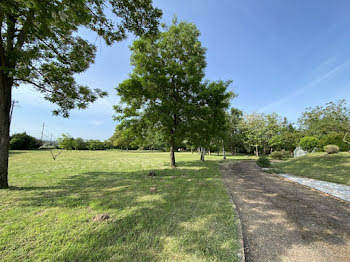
x=5 y=107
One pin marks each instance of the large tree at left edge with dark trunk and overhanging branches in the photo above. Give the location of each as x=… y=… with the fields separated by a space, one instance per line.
x=39 y=46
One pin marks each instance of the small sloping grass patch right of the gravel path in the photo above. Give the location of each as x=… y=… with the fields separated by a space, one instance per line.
x=332 y=168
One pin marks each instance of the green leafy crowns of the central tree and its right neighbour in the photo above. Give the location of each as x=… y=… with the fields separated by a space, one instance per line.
x=165 y=91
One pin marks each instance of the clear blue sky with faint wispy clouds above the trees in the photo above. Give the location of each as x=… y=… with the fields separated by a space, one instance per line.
x=282 y=56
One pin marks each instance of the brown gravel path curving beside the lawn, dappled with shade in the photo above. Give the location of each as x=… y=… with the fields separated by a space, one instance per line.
x=284 y=221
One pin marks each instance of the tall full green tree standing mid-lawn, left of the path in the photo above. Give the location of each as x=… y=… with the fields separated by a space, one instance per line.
x=165 y=82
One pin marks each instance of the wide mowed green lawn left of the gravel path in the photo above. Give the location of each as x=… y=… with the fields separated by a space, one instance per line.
x=47 y=214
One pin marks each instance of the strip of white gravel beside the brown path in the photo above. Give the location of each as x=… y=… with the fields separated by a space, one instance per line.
x=337 y=190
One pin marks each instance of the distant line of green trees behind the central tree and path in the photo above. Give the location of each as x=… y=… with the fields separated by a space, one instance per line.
x=253 y=133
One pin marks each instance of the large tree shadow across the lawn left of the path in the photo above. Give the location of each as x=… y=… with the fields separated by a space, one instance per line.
x=187 y=218
